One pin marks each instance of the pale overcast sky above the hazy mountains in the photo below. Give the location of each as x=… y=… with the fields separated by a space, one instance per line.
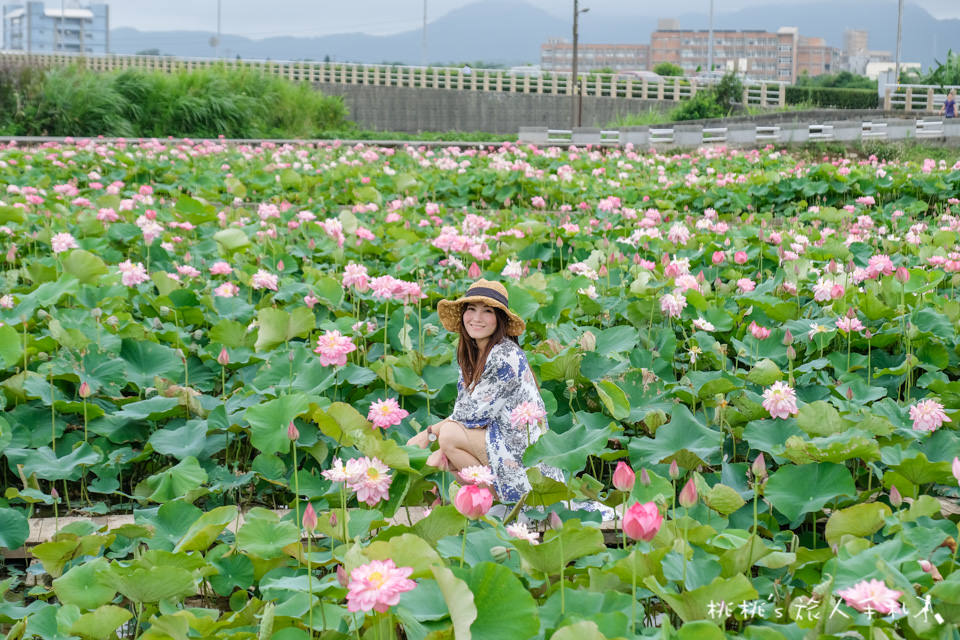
x=259 y=19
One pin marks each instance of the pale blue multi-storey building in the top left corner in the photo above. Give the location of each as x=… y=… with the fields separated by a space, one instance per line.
x=32 y=27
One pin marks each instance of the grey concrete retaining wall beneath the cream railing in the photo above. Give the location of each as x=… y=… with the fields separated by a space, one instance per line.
x=418 y=110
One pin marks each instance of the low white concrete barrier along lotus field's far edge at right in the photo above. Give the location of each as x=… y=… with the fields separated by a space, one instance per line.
x=749 y=134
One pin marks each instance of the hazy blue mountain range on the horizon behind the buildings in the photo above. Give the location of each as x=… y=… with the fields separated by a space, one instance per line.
x=511 y=32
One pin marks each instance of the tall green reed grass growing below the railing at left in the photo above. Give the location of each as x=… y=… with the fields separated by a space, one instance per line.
x=203 y=103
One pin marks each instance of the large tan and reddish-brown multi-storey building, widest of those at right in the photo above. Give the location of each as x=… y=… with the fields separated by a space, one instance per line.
x=760 y=55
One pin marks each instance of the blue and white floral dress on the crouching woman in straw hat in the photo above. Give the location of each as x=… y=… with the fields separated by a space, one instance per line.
x=506 y=383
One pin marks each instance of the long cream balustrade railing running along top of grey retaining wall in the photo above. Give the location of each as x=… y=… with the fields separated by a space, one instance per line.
x=763 y=94
